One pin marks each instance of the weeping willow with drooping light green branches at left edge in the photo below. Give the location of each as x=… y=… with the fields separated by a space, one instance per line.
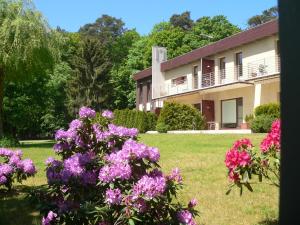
x=25 y=44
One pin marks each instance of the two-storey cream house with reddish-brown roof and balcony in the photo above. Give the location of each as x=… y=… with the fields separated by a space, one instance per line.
x=225 y=80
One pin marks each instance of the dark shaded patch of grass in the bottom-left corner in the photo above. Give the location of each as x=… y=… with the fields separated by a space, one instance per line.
x=16 y=209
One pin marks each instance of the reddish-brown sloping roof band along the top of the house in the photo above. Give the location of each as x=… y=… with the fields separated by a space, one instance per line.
x=244 y=37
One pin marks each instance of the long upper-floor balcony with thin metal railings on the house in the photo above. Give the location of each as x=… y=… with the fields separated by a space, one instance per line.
x=232 y=74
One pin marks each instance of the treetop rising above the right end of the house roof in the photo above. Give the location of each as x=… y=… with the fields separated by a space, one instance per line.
x=267 y=15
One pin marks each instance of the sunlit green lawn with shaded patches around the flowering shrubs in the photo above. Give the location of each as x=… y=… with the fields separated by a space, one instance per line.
x=201 y=160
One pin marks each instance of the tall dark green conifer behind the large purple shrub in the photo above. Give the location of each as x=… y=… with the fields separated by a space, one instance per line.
x=89 y=85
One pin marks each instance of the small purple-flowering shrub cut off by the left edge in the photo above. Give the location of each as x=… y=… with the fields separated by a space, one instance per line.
x=14 y=168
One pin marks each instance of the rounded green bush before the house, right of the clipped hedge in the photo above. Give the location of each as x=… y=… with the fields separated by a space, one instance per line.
x=178 y=116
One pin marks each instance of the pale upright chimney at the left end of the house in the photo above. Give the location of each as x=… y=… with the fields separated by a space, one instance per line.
x=159 y=55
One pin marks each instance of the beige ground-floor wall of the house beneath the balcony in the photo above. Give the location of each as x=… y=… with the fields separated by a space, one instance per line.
x=269 y=93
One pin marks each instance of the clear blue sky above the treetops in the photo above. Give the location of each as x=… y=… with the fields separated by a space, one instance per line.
x=143 y=14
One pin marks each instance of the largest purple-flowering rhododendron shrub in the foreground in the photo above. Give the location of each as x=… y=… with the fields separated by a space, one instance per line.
x=107 y=177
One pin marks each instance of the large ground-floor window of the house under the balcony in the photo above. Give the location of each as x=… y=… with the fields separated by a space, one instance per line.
x=232 y=113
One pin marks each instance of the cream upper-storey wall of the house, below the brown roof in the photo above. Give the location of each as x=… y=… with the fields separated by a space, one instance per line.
x=254 y=53
